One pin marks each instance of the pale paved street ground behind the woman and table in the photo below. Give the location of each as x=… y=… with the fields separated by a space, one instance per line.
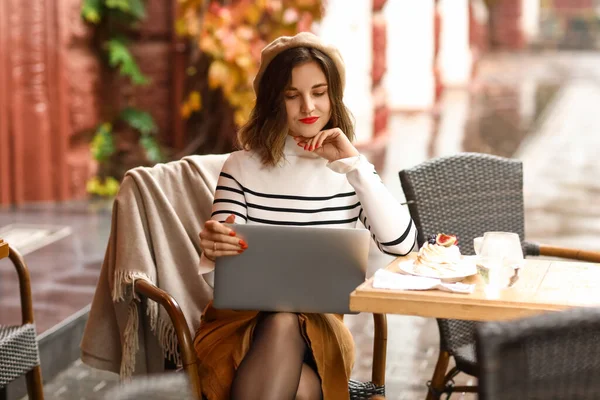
x=561 y=192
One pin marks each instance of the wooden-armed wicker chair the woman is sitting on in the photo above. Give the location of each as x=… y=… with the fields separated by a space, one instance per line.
x=358 y=390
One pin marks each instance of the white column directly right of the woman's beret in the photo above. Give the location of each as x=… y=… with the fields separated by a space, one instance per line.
x=347 y=25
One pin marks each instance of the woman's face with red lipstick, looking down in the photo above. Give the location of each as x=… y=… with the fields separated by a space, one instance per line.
x=307 y=100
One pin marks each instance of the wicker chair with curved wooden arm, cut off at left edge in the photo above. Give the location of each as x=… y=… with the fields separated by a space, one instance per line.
x=19 y=353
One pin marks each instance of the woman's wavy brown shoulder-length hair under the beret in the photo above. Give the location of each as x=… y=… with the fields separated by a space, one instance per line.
x=266 y=130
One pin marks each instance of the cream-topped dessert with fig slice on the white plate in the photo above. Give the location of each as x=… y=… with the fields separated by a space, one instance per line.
x=439 y=256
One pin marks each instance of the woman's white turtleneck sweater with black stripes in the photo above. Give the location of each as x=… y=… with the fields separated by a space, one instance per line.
x=307 y=190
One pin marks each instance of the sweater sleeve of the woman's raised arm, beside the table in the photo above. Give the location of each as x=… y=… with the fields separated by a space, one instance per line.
x=388 y=221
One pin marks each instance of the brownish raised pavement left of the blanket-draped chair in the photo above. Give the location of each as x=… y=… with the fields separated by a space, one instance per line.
x=63 y=273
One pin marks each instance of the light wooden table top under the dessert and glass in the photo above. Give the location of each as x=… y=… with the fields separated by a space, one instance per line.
x=543 y=286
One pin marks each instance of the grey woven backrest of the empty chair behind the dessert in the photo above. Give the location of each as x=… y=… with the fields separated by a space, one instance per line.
x=465 y=194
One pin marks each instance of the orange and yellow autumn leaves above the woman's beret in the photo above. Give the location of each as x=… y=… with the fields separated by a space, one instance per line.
x=233 y=33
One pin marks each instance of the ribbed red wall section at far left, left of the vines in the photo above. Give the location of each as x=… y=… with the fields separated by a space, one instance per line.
x=34 y=132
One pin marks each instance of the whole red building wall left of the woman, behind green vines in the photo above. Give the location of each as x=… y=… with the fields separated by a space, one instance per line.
x=53 y=94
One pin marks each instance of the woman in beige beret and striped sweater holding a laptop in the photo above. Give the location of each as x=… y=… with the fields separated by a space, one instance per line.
x=298 y=167
